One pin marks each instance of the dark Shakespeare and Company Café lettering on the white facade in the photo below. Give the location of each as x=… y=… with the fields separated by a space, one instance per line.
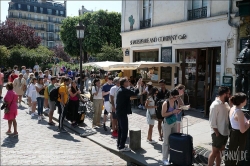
x=158 y=39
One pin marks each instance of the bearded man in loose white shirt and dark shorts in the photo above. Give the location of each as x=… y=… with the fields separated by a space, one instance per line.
x=218 y=120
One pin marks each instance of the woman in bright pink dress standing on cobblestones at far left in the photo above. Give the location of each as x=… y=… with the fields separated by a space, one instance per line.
x=11 y=99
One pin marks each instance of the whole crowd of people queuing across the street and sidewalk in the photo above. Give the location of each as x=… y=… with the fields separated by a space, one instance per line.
x=46 y=90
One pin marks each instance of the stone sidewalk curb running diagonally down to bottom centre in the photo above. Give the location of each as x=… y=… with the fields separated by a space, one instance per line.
x=123 y=155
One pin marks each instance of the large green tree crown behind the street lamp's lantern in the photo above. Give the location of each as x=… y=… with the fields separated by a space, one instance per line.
x=101 y=27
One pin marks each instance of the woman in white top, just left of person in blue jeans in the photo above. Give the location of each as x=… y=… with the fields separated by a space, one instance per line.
x=32 y=96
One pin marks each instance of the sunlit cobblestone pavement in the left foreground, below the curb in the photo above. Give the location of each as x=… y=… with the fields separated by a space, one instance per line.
x=40 y=144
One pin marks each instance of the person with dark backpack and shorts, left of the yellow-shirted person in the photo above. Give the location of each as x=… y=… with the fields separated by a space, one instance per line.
x=52 y=104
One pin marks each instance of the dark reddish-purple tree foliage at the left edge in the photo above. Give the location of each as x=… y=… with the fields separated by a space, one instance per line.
x=12 y=35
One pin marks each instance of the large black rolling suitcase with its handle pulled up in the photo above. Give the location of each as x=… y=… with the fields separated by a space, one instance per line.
x=181 y=148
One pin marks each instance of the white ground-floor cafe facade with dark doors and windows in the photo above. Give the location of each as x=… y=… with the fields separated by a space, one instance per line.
x=205 y=50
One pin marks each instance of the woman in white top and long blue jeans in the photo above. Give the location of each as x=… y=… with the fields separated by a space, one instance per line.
x=40 y=88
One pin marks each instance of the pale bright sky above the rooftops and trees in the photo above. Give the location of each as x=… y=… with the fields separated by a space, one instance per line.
x=74 y=6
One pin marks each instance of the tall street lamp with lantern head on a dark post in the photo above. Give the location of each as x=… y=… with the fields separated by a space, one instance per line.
x=80 y=35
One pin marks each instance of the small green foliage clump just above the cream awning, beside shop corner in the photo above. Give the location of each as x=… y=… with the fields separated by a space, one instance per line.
x=110 y=53
